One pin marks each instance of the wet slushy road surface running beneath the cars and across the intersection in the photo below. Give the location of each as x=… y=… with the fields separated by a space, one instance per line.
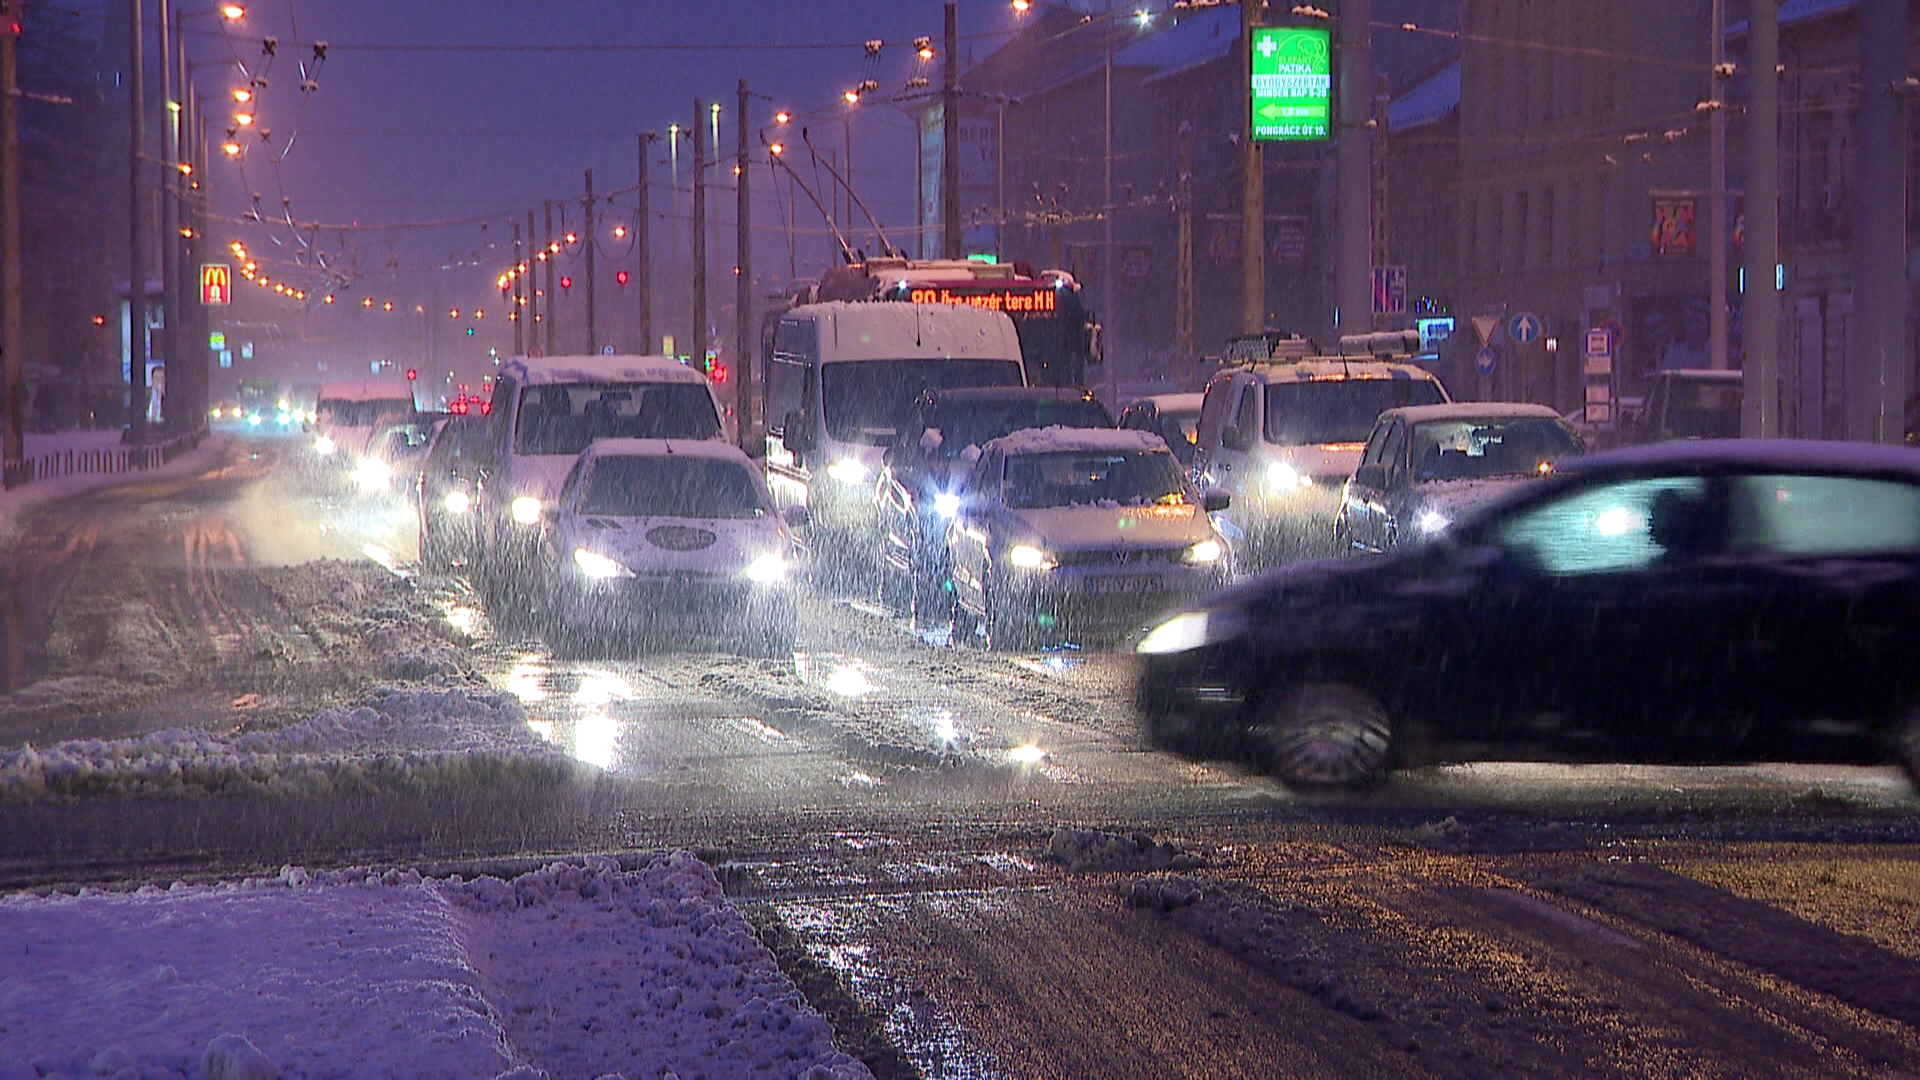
x=942 y=843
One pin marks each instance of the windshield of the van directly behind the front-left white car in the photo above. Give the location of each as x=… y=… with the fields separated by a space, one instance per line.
x=567 y=418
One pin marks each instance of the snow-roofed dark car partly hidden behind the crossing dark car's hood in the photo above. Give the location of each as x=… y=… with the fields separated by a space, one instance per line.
x=1428 y=466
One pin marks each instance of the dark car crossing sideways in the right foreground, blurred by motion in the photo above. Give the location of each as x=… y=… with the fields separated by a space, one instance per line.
x=1725 y=601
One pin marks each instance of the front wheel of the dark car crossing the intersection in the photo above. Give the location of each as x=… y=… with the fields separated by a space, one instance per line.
x=1324 y=735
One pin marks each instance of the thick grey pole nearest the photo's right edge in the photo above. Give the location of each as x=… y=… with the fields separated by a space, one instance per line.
x=1879 y=378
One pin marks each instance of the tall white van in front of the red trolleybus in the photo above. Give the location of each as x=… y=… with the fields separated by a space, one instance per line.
x=840 y=378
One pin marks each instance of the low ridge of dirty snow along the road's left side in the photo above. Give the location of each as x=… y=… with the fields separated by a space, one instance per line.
x=395 y=741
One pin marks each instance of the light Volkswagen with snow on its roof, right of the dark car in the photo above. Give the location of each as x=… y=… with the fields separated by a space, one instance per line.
x=1078 y=533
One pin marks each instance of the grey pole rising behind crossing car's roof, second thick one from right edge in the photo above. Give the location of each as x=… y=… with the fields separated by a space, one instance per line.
x=1762 y=308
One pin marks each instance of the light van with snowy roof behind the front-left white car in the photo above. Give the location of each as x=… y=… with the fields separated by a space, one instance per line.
x=546 y=410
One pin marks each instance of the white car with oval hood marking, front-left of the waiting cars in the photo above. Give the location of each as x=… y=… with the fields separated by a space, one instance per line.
x=665 y=539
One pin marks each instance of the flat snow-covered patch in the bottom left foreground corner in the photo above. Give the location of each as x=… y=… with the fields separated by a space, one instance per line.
x=567 y=971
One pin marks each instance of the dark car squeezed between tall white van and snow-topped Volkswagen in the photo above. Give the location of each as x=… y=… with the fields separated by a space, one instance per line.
x=926 y=462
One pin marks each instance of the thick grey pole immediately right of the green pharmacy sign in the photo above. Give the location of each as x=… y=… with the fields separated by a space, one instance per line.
x=1355 y=176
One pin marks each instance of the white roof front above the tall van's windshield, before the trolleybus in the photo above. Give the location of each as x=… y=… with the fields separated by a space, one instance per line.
x=901 y=331
